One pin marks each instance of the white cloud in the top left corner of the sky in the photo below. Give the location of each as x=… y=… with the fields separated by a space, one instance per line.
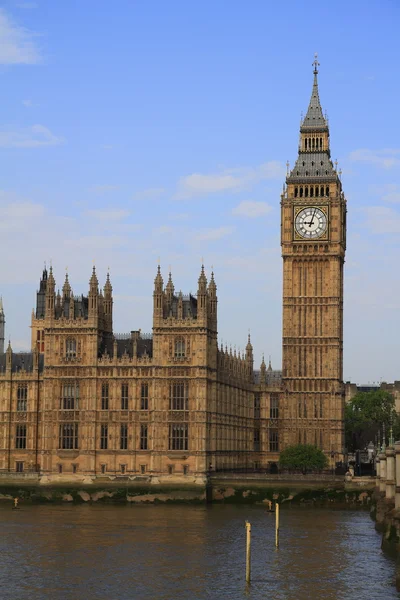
x=16 y=43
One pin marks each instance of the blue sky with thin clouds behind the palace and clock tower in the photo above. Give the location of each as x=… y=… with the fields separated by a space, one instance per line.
x=135 y=130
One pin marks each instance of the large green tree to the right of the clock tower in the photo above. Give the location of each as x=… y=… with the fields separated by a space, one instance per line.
x=364 y=416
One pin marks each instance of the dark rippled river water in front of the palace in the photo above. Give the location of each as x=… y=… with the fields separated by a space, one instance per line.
x=109 y=552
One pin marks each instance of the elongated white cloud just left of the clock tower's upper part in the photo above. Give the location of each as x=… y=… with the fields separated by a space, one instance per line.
x=227 y=180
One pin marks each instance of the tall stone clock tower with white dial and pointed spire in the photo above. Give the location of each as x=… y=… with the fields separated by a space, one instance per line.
x=313 y=240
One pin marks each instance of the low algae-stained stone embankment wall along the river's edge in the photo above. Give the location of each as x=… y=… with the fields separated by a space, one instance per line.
x=313 y=490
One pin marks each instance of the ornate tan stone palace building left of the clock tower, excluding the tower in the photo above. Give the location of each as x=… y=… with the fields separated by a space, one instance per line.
x=170 y=403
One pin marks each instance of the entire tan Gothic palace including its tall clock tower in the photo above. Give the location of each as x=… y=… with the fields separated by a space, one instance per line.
x=88 y=402
